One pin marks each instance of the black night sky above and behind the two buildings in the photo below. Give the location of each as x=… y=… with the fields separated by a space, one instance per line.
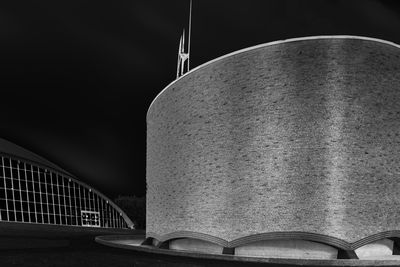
x=77 y=76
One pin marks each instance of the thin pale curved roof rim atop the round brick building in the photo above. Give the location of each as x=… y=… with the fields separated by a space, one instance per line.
x=270 y=44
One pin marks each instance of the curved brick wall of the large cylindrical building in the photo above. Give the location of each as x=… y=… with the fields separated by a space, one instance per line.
x=297 y=136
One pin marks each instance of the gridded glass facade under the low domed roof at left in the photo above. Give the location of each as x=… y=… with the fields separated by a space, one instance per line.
x=33 y=194
